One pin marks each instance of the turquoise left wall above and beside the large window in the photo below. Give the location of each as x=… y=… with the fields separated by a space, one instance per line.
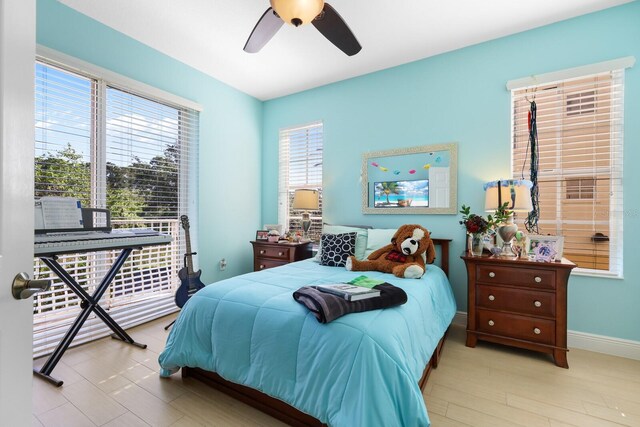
x=230 y=128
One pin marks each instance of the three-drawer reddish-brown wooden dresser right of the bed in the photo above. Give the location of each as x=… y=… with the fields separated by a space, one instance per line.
x=518 y=303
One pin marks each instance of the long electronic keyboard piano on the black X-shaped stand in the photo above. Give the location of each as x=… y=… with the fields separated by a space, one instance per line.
x=92 y=241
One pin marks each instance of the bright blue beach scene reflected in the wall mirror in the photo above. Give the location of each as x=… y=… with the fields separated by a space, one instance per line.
x=401 y=194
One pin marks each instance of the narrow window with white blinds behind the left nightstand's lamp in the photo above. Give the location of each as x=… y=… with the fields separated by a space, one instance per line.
x=300 y=167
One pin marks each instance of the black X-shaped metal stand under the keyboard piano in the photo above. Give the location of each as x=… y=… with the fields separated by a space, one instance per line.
x=89 y=304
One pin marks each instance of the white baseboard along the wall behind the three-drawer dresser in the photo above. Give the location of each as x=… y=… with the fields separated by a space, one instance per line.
x=584 y=341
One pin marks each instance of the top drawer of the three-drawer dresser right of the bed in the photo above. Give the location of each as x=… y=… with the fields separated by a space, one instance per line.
x=534 y=278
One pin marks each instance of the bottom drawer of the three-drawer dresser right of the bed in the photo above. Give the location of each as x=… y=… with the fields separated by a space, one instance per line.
x=516 y=326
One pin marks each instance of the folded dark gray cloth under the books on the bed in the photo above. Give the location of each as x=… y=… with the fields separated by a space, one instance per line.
x=327 y=307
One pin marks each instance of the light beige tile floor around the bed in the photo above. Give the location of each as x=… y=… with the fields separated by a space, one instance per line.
x=108 y=383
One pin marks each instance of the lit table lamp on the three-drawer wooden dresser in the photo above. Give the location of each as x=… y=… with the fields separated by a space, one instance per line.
x=517 y=195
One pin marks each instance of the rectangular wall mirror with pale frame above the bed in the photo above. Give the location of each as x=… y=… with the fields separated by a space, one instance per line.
x=416 y=180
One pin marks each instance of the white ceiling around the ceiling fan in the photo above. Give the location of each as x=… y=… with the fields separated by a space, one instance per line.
x=209 y=35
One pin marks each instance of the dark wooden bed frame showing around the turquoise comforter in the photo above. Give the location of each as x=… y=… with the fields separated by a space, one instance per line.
x=285 y=412
